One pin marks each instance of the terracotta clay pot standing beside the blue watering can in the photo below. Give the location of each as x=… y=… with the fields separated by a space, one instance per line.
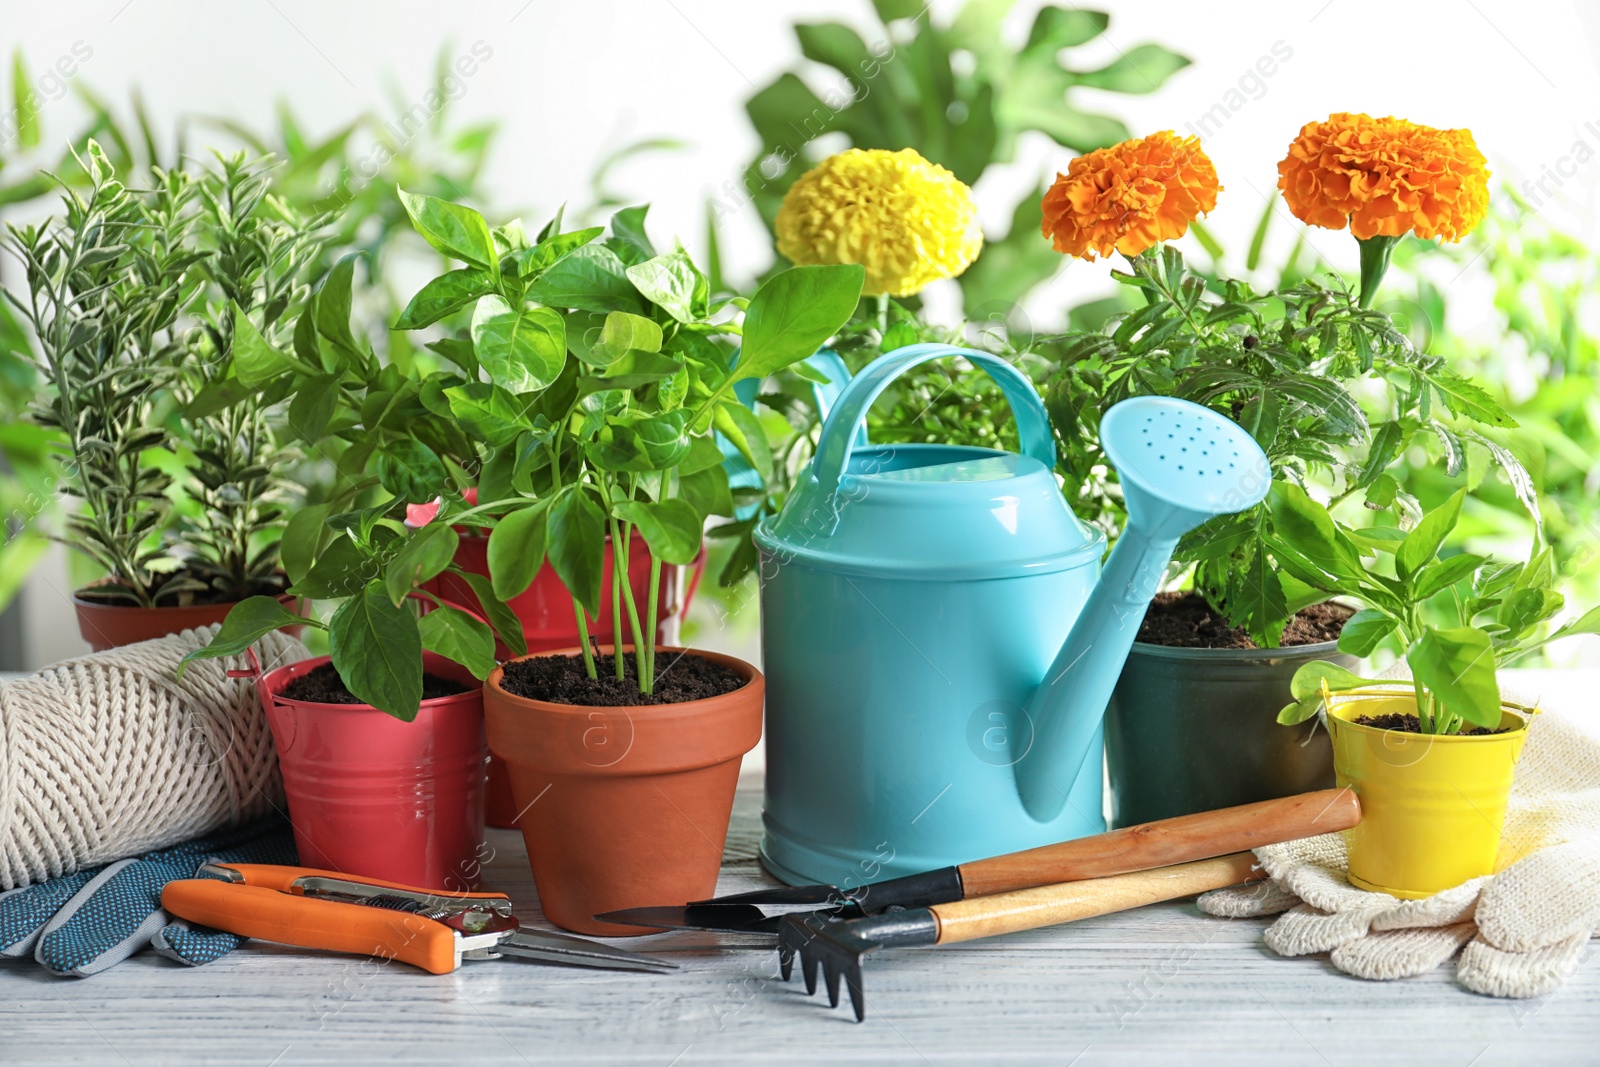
x=625 y=807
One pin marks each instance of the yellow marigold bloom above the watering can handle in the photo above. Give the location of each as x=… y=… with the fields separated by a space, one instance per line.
x=908 y=222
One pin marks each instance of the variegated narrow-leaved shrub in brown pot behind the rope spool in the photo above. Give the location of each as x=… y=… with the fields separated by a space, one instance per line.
x=151 y=310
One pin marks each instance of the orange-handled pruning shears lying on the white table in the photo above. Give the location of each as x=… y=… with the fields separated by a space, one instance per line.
x=322 y=909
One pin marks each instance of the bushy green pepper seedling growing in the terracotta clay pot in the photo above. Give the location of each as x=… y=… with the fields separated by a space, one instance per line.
x=594 y=380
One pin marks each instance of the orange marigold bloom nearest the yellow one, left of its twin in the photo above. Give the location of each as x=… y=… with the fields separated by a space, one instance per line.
x=1130 y=196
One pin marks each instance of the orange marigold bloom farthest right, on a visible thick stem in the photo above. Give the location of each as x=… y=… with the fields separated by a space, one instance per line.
x=1386 y=178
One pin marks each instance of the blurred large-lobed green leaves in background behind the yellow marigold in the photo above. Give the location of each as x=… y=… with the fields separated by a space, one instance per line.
x=959 y=94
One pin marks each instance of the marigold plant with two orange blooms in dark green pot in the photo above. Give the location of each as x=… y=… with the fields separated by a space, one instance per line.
x=1191 y=724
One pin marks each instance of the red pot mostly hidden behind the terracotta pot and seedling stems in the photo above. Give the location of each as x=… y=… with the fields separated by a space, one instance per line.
x=548 y=621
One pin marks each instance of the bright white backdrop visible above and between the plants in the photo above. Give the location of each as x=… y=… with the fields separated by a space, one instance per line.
x=570 y=82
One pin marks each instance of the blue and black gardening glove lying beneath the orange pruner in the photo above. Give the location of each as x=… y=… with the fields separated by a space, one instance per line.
x=82 y=924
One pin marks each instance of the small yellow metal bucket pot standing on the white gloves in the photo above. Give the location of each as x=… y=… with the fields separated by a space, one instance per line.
x=1433 y=805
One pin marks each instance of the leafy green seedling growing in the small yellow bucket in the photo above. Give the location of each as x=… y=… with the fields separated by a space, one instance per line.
x=1458 y=617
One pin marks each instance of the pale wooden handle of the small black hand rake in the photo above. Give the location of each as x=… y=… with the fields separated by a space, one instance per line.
x=1047 y=906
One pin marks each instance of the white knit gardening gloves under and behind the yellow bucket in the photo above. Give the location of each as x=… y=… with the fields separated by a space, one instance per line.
x=1524 y=929
